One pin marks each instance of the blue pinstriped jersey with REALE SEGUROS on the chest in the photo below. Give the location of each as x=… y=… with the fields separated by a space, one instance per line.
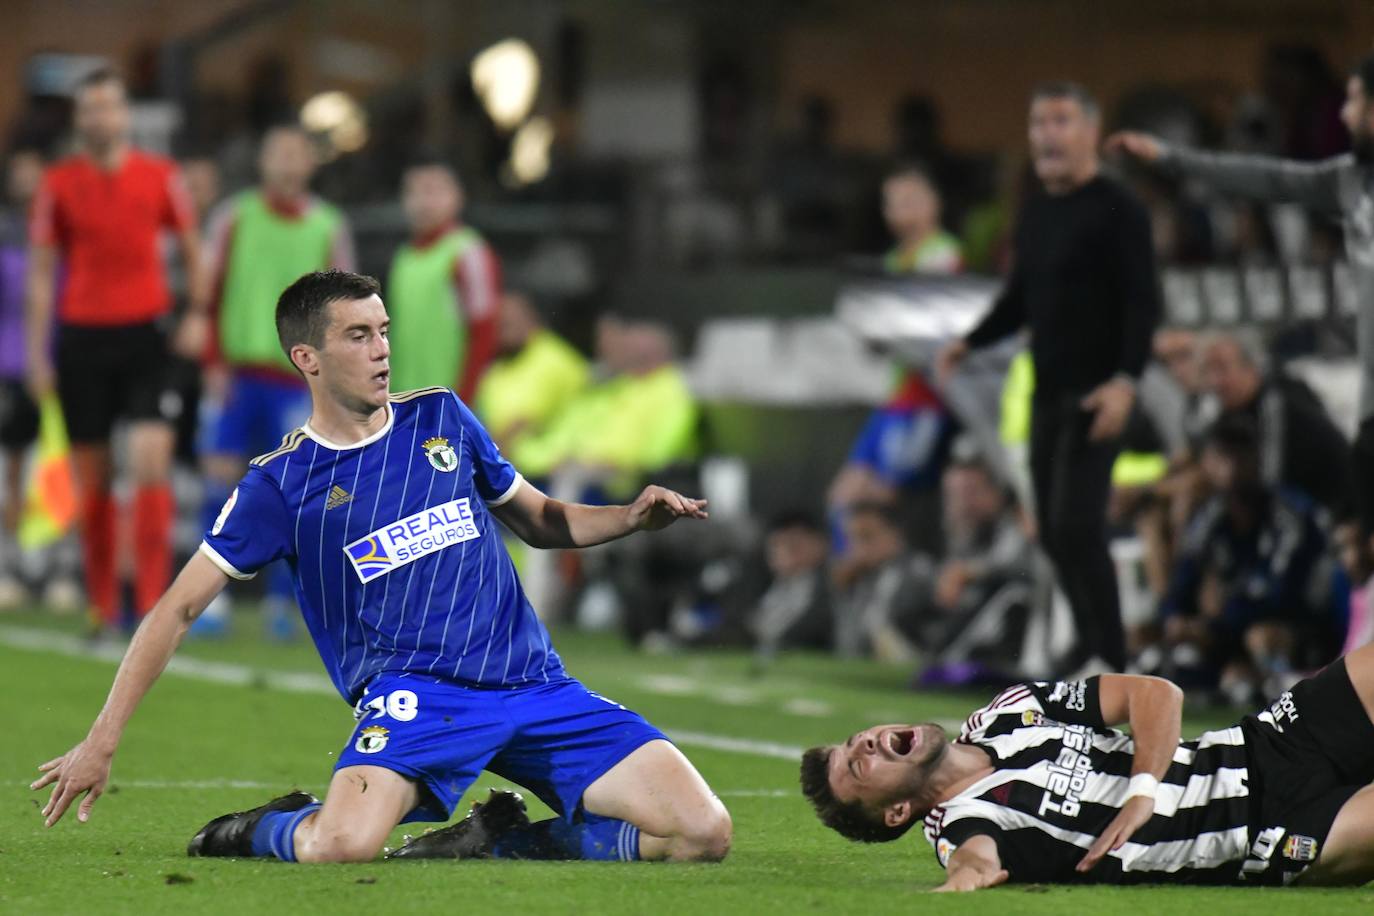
x=398 y=561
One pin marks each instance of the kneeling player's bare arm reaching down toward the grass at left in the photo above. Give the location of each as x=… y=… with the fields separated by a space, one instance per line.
x=86 y=768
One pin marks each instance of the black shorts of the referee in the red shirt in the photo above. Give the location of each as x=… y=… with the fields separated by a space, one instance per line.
x=115 y=373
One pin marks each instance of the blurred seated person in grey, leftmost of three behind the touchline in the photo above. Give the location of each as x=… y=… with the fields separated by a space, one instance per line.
x=795 y=612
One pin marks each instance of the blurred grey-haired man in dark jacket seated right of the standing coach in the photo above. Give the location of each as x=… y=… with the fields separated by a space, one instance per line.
x=1300 y=448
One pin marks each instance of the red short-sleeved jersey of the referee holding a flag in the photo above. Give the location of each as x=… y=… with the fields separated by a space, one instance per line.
x=106 y=227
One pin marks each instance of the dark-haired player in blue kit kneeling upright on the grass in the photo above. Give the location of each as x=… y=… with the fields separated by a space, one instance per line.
x=385 y=507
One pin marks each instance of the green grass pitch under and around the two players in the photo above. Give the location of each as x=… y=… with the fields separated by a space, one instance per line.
x=241 y=722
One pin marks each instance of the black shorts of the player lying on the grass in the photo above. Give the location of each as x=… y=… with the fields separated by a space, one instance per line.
x=1309 y=753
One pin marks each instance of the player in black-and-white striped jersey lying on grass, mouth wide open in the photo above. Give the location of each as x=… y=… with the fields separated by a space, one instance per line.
x=1039 y=788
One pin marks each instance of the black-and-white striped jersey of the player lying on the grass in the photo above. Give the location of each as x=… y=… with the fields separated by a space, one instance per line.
x=1061 y=777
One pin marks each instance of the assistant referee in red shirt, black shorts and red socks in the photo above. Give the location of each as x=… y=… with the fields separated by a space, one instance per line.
x=101 y=214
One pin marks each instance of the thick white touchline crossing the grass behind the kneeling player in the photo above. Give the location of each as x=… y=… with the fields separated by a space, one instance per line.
x=306 y=683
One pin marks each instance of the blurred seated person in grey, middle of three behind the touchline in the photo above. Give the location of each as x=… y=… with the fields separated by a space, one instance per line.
x=877 y=588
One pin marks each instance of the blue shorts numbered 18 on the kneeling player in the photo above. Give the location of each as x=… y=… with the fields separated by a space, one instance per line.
x=554 y=740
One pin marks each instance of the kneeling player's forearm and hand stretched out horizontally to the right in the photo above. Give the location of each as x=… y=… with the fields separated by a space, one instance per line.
x=550 y=524
